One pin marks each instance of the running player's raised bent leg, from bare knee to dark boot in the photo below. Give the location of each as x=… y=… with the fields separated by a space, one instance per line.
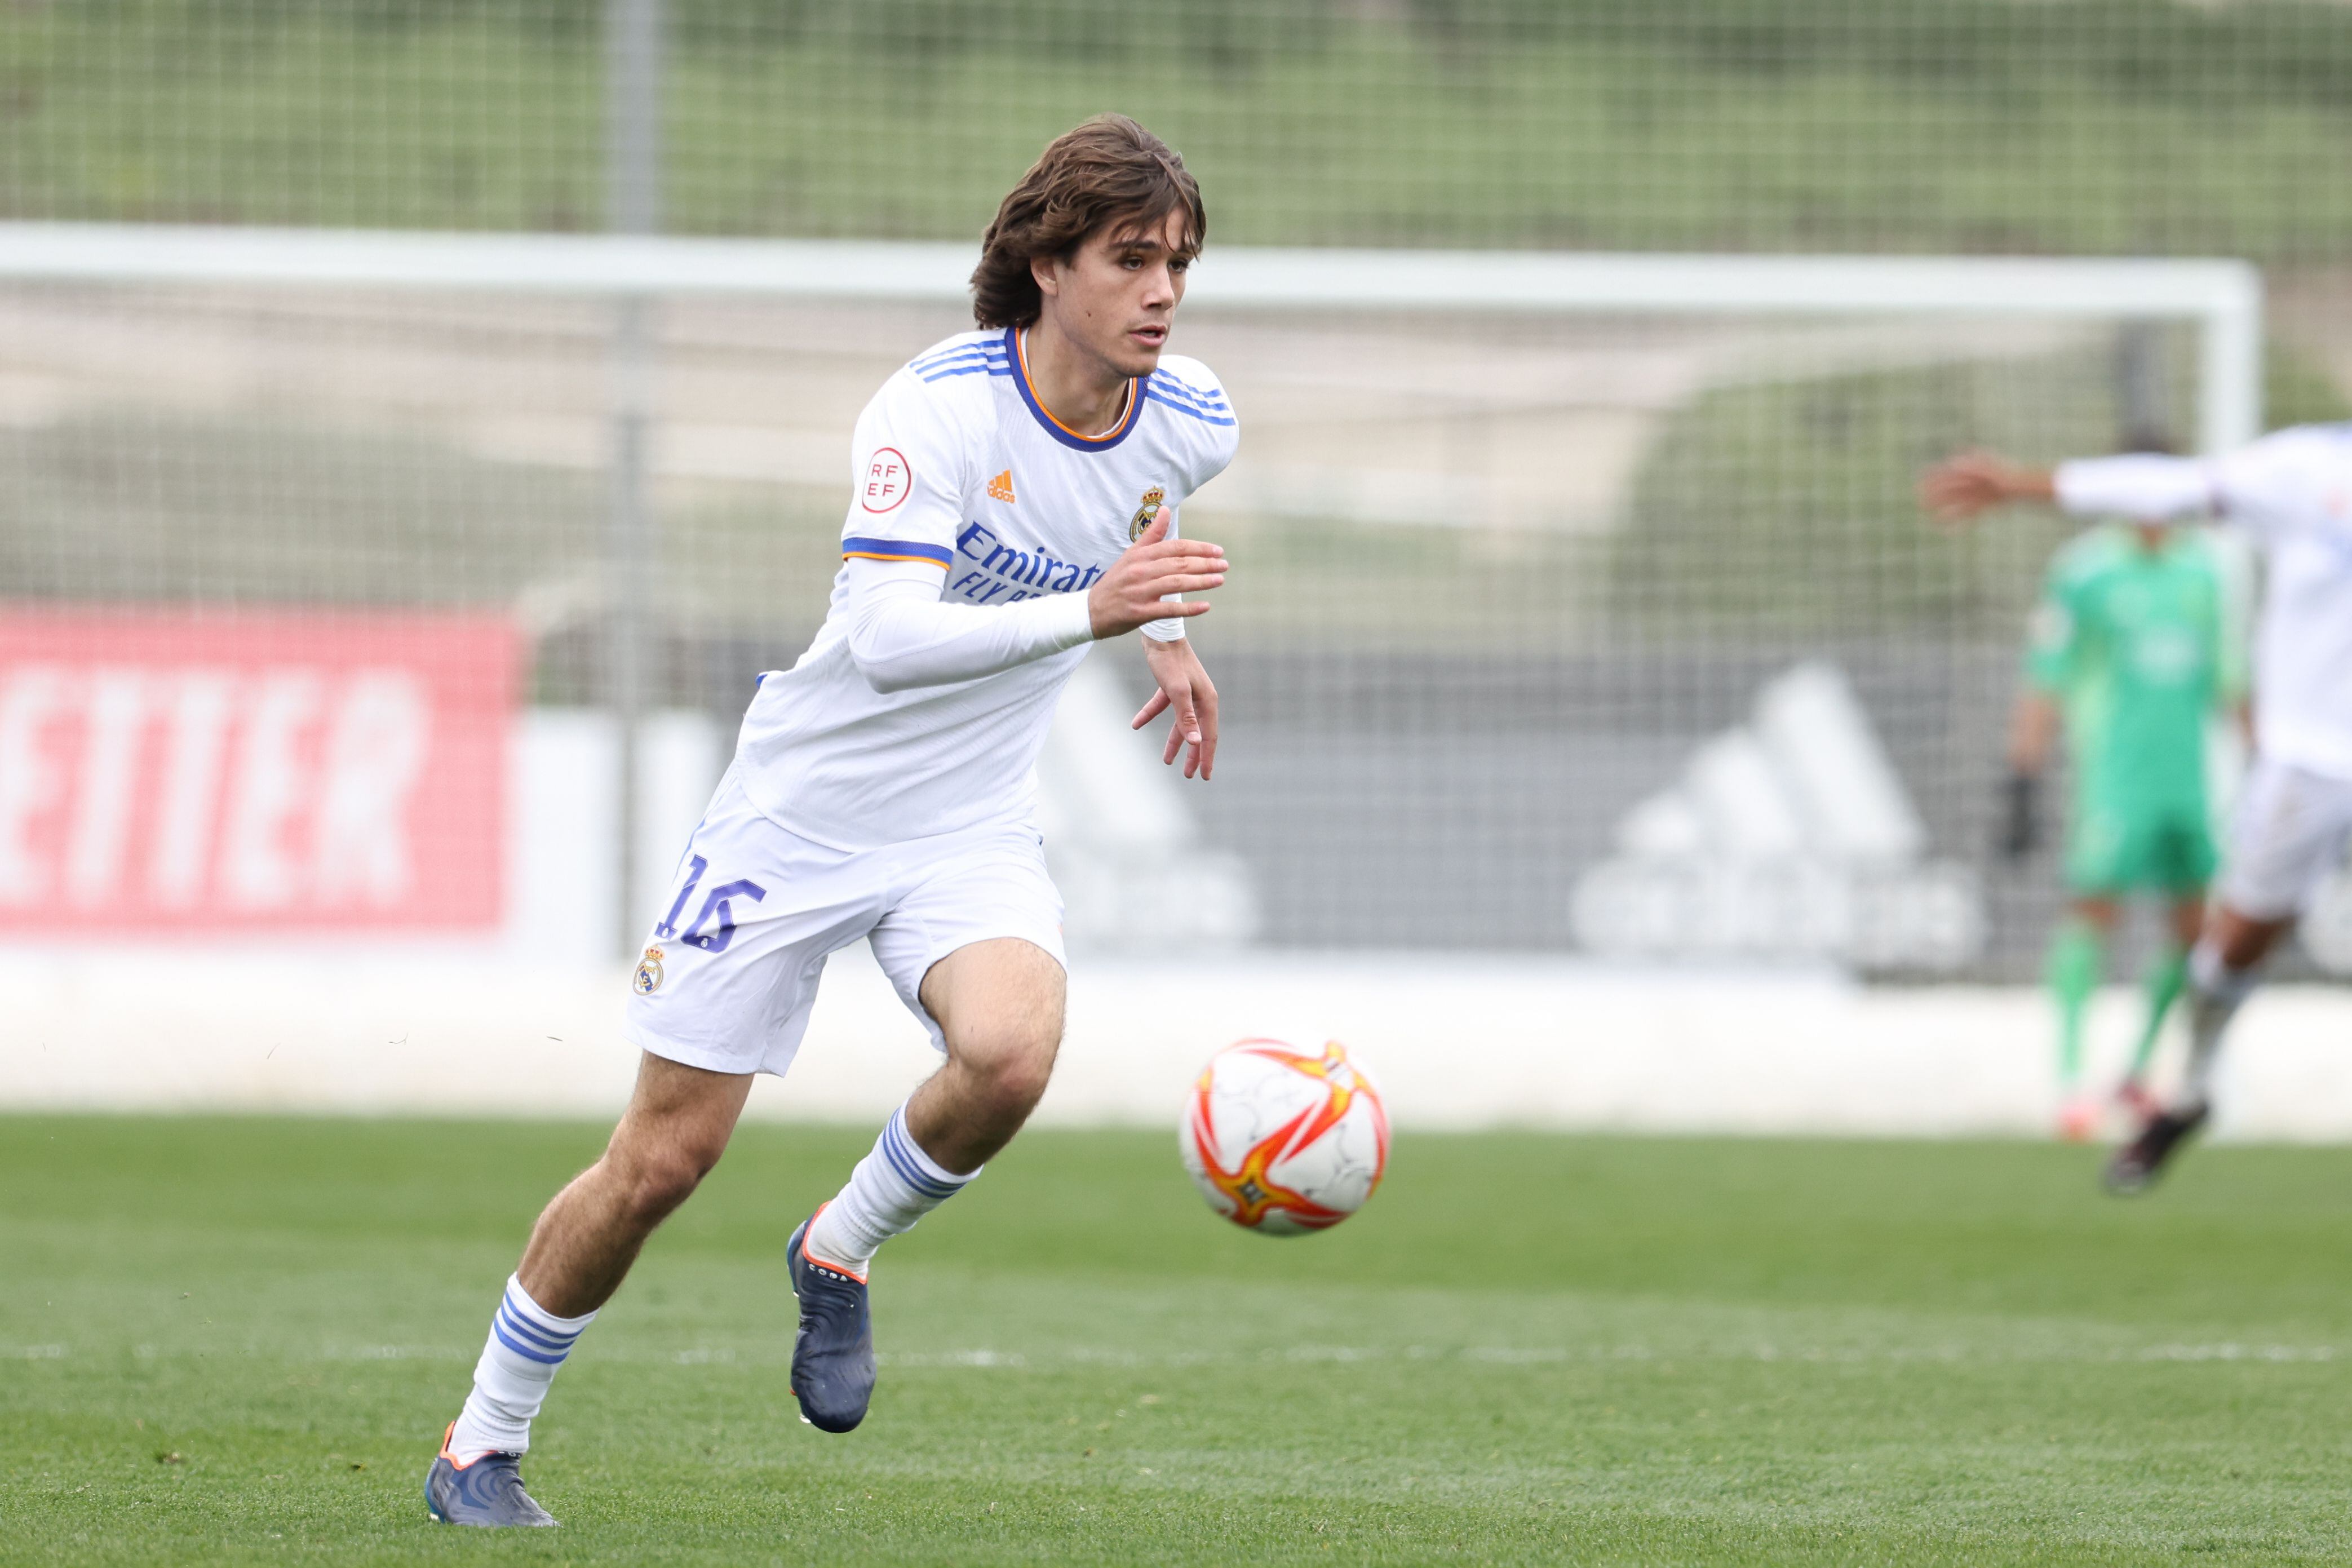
x=1001 y=1010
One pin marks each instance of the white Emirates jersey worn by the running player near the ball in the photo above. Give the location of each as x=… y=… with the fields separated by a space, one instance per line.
x=975 y=530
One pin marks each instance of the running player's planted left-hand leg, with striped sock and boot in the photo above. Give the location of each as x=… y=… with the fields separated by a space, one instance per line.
x=676 y=1127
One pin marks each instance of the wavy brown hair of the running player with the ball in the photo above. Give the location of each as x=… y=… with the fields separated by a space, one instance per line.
x=1109 y=173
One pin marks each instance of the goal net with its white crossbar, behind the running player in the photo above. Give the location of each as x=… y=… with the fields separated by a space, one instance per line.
x=1582 y=603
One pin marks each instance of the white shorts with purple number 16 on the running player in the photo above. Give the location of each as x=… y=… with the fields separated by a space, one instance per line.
x=730 y=972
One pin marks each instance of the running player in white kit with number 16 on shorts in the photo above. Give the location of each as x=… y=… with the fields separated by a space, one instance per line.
x=1017 y=497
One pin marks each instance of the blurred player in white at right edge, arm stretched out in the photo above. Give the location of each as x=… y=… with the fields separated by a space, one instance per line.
x=2294 y=495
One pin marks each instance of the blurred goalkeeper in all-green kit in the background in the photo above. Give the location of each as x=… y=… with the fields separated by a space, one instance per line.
x=2132 y=652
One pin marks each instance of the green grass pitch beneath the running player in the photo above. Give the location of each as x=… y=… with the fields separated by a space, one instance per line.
x=239 y=1341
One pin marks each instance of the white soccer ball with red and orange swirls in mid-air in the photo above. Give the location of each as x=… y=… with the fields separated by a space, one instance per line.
x=1283 y=1141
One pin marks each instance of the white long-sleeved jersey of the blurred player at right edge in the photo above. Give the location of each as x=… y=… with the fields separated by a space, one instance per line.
x=2292 y=492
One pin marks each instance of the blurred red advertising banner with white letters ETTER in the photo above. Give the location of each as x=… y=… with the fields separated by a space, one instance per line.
x=218 y=772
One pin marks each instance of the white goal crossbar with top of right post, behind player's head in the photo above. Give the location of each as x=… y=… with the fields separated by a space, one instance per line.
x=2224 y=300
